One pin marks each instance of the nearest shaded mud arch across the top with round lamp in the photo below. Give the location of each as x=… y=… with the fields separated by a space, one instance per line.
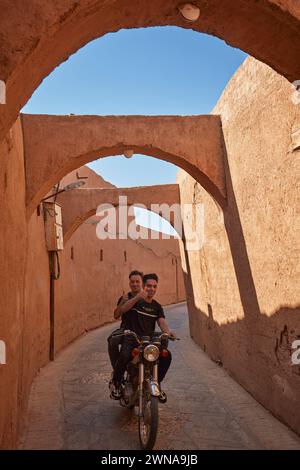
x=49 y=34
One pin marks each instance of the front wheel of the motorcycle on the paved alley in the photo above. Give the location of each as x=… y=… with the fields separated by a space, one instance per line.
x=148 y=423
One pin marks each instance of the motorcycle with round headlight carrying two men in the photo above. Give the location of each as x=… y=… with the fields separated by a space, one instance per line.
x=140 y=386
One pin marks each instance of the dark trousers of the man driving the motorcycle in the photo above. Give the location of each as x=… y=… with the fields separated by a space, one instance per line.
x=128 y=345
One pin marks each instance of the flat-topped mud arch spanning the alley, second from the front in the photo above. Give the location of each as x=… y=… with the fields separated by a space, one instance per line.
x=56 y=145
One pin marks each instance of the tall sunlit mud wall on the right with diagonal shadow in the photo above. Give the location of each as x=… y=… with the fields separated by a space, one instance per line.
x=244 y=293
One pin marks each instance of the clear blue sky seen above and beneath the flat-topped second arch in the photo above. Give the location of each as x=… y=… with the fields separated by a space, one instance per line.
x=150 y=71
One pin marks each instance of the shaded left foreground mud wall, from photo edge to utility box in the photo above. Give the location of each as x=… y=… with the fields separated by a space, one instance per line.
x=24 y=298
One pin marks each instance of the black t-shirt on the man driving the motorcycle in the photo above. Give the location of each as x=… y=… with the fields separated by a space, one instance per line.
x=143 y=317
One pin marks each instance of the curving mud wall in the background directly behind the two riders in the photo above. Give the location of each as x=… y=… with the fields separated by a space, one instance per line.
x=89 y=288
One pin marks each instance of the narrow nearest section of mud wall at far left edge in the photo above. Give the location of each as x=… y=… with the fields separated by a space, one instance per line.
x=12 y=266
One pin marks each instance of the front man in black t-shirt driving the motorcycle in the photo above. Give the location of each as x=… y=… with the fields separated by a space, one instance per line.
x=142 y=314
